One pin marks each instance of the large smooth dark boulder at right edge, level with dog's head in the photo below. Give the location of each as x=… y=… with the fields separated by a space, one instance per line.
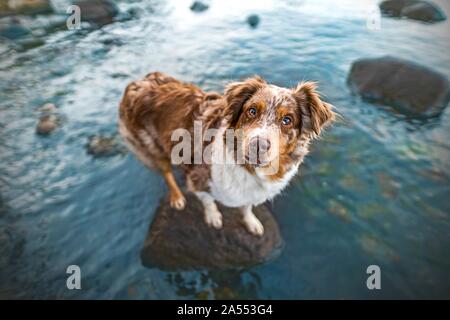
x=411 y=88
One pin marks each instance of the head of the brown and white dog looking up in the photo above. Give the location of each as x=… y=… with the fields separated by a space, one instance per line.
x=275 y=124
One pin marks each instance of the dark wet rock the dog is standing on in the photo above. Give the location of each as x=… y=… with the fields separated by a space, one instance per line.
x=181 y=240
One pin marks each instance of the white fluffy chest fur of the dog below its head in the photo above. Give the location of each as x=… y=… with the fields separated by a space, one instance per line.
x=234 y=186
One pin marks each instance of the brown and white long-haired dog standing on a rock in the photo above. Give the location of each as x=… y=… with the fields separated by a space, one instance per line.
x=267 y=117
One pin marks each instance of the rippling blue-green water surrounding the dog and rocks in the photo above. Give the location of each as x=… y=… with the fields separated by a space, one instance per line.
x=374 y=190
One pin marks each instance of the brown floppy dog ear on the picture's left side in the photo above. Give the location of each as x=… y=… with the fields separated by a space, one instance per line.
x=236 y=93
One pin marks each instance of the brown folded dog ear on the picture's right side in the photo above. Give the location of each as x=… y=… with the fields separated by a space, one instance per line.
x=316 y=114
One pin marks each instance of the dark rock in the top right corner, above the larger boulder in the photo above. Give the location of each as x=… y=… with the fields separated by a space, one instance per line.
x=412 y=9
